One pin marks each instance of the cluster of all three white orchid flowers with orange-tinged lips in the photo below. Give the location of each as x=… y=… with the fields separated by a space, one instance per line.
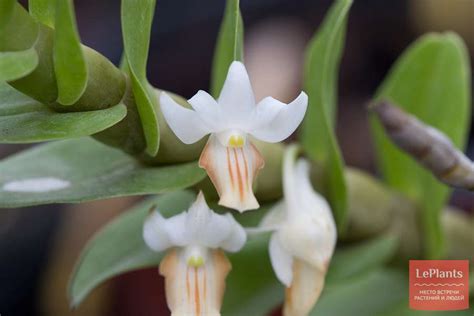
x=303 y=230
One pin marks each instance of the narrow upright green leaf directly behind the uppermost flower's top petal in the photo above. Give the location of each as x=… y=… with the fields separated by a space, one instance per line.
x=229 y=47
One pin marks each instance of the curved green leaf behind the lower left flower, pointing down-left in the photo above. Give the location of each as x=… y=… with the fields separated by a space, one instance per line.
x=119 y=246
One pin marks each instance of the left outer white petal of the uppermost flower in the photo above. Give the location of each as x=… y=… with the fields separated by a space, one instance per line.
x=186 y=124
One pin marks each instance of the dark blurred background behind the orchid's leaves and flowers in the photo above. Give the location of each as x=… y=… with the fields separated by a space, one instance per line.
x=40 y=245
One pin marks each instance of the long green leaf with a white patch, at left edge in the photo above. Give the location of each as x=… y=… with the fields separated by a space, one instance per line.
x=83 y=170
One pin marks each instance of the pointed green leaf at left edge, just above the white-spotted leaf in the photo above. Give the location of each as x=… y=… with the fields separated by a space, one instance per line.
x=24 y=120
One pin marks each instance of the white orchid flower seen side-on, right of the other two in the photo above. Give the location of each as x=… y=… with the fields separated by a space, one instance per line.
x=304 y=237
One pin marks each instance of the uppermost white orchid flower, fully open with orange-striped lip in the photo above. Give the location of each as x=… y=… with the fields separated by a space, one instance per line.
x=229 y=158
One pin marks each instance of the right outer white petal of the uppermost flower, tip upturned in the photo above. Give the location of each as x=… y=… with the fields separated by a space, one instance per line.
x=285 y=123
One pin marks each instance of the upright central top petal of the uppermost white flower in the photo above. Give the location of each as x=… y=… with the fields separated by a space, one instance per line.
x=237 y=99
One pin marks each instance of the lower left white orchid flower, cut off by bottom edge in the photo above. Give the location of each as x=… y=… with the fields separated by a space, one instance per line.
x=194 y=267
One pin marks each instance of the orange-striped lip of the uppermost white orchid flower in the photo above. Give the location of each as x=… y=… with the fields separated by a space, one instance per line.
x=232 y=171
